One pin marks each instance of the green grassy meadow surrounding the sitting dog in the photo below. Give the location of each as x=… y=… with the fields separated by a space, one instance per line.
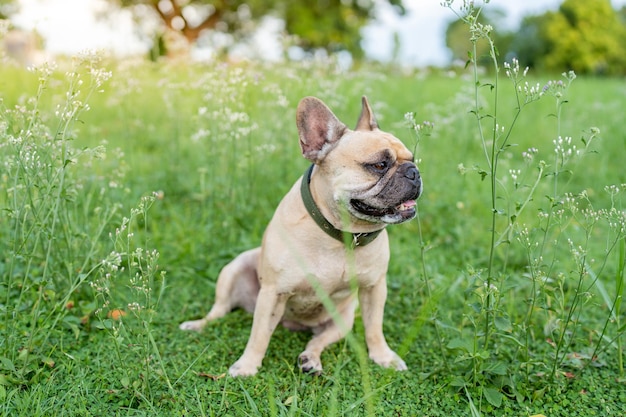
x=197 y=158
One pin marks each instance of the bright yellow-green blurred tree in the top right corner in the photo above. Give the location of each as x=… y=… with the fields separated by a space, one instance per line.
x=587 y=36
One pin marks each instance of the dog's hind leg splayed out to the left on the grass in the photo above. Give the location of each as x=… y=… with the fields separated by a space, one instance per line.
x=237 y=286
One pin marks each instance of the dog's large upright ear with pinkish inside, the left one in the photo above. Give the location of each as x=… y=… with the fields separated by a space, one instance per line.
x=318 y=128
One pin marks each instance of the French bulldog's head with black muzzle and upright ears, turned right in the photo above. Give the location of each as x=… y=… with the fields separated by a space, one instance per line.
x=367 y=172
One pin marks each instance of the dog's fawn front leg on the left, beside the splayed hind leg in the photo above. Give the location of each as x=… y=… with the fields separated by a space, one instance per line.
x=267 y=314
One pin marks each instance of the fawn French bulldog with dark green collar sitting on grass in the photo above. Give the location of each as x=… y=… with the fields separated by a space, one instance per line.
x=326 y=247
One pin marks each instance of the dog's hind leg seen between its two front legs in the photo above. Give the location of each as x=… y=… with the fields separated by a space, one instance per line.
x=309 y=361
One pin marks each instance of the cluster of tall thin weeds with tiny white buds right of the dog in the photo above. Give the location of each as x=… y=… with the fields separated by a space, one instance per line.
x=558 y=289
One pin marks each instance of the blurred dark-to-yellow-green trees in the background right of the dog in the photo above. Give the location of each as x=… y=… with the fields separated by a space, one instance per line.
x=588 y=37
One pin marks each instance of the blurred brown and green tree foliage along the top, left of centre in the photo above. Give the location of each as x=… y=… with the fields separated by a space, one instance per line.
x=329 y=24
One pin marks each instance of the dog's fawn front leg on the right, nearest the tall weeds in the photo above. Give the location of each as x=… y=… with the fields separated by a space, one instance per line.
x=372 y=301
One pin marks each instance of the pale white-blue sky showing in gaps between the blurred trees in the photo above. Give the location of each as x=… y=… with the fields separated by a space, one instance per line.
x=421 y=31
